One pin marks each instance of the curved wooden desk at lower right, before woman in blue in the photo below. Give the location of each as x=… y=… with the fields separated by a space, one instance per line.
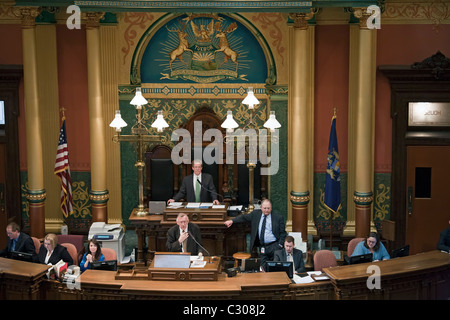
x=422 y=276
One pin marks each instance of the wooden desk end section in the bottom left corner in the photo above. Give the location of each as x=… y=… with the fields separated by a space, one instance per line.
x=21 y=280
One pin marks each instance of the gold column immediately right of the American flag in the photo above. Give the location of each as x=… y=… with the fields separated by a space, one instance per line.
x=99 y=195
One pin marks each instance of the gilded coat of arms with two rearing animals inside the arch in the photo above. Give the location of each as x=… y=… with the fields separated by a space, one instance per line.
x=204 y=48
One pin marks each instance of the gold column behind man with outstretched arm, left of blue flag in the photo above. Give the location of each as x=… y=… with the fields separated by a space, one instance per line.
x=301 y=107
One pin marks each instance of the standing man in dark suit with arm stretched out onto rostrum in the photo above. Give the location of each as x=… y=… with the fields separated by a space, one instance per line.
x=268 y=230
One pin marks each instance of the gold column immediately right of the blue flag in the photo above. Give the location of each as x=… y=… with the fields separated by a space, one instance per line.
x=365 y=125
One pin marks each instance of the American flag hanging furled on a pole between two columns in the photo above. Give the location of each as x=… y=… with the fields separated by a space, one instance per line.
x=62 y=170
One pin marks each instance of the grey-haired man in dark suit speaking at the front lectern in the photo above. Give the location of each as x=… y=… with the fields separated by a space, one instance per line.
x=179 y=237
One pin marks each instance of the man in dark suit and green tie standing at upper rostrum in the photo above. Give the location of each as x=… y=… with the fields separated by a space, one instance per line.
x=192 y=190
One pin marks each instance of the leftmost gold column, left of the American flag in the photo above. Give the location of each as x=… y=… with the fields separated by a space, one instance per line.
x=36 y=193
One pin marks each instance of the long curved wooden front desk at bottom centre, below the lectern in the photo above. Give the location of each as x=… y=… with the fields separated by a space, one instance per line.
x=100 y=285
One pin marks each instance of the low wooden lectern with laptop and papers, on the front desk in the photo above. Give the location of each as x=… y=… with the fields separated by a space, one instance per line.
x=173 y=266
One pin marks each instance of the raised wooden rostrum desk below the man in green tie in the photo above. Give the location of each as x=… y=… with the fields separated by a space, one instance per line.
x=216 y=237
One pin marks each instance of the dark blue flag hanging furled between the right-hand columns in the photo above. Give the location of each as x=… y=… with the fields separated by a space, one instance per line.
x=332 y=197
